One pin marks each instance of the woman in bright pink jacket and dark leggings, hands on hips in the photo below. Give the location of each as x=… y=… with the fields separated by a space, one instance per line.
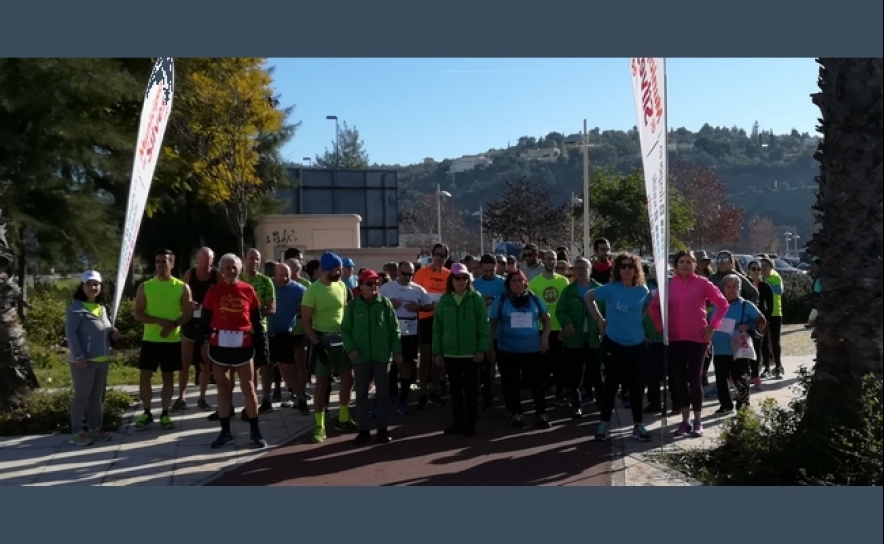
x=689 y=336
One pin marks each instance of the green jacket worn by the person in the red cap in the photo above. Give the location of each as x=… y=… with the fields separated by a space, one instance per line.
x=371 y=329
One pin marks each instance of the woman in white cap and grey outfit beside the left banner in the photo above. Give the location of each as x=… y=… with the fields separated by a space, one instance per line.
x=89 y=334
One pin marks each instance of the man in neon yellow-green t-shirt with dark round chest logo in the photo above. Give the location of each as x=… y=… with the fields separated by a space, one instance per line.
x=549 y=286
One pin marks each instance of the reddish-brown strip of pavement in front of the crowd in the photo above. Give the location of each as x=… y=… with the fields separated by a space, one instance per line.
x=421 y=454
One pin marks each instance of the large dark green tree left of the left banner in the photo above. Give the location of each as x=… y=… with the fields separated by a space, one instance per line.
x=57 y=120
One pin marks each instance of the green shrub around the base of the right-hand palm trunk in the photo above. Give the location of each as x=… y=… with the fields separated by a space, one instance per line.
x=769 y=448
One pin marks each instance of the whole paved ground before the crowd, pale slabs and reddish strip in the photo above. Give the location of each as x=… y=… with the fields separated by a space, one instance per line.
x=419 y=455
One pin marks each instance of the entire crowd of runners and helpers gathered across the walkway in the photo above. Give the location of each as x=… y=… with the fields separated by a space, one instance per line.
x=586 y=332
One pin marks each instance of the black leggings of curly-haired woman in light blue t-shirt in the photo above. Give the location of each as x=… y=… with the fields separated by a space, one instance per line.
x=626 y=369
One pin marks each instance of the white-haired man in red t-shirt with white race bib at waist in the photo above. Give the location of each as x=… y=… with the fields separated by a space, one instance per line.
x=232 y=323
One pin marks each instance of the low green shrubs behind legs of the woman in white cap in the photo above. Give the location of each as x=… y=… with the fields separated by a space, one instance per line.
x=47 y=412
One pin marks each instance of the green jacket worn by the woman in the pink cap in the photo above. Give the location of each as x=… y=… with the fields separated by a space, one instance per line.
x=461 y=330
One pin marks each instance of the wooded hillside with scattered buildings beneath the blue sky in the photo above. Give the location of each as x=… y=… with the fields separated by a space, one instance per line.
x=767 y=174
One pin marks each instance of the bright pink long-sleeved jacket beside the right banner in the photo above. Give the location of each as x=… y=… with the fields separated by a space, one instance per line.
x=687 y=308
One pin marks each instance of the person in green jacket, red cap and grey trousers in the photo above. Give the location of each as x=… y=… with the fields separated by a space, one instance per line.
x=370 y=333
